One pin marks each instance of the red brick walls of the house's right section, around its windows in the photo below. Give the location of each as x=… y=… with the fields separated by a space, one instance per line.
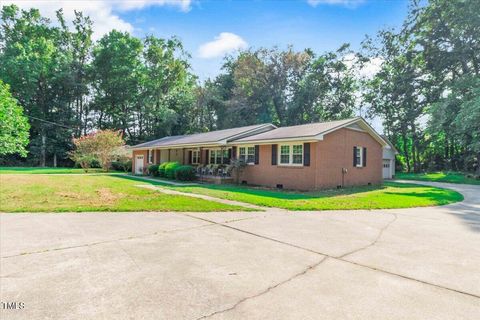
x=327 y=158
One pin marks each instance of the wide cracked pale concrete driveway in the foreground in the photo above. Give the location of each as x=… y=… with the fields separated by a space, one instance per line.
x=383 y=264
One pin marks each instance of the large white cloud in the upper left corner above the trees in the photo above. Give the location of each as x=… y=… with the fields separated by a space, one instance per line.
x=102 y=12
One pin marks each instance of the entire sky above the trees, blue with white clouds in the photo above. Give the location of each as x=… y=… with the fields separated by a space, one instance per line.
x=211 y=29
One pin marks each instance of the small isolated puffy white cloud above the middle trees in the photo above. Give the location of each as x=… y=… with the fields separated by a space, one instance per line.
x=224 y=43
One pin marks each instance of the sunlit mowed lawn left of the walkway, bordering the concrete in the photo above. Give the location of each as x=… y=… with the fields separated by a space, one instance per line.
x=81 y=193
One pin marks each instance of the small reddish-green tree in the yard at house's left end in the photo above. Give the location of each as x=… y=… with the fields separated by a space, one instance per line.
x=102 y=145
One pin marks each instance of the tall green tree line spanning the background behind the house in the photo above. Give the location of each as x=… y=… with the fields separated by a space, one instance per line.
x=426 y=91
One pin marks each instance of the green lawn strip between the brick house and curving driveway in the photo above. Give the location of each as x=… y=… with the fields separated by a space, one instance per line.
x=389 y=195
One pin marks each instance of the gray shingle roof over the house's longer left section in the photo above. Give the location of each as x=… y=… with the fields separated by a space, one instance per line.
x=206 y=137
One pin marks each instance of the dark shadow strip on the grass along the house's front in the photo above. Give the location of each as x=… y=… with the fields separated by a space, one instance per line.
x=270 y=193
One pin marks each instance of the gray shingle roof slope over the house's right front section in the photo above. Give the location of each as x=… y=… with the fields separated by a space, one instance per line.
x=304 y=130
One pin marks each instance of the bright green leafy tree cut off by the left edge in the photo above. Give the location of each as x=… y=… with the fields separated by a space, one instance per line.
x=14 y=127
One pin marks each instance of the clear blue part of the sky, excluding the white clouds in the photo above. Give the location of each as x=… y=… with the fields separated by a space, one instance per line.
x=267 y=23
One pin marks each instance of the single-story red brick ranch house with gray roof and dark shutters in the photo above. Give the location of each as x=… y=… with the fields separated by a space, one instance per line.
x=304 y=157
